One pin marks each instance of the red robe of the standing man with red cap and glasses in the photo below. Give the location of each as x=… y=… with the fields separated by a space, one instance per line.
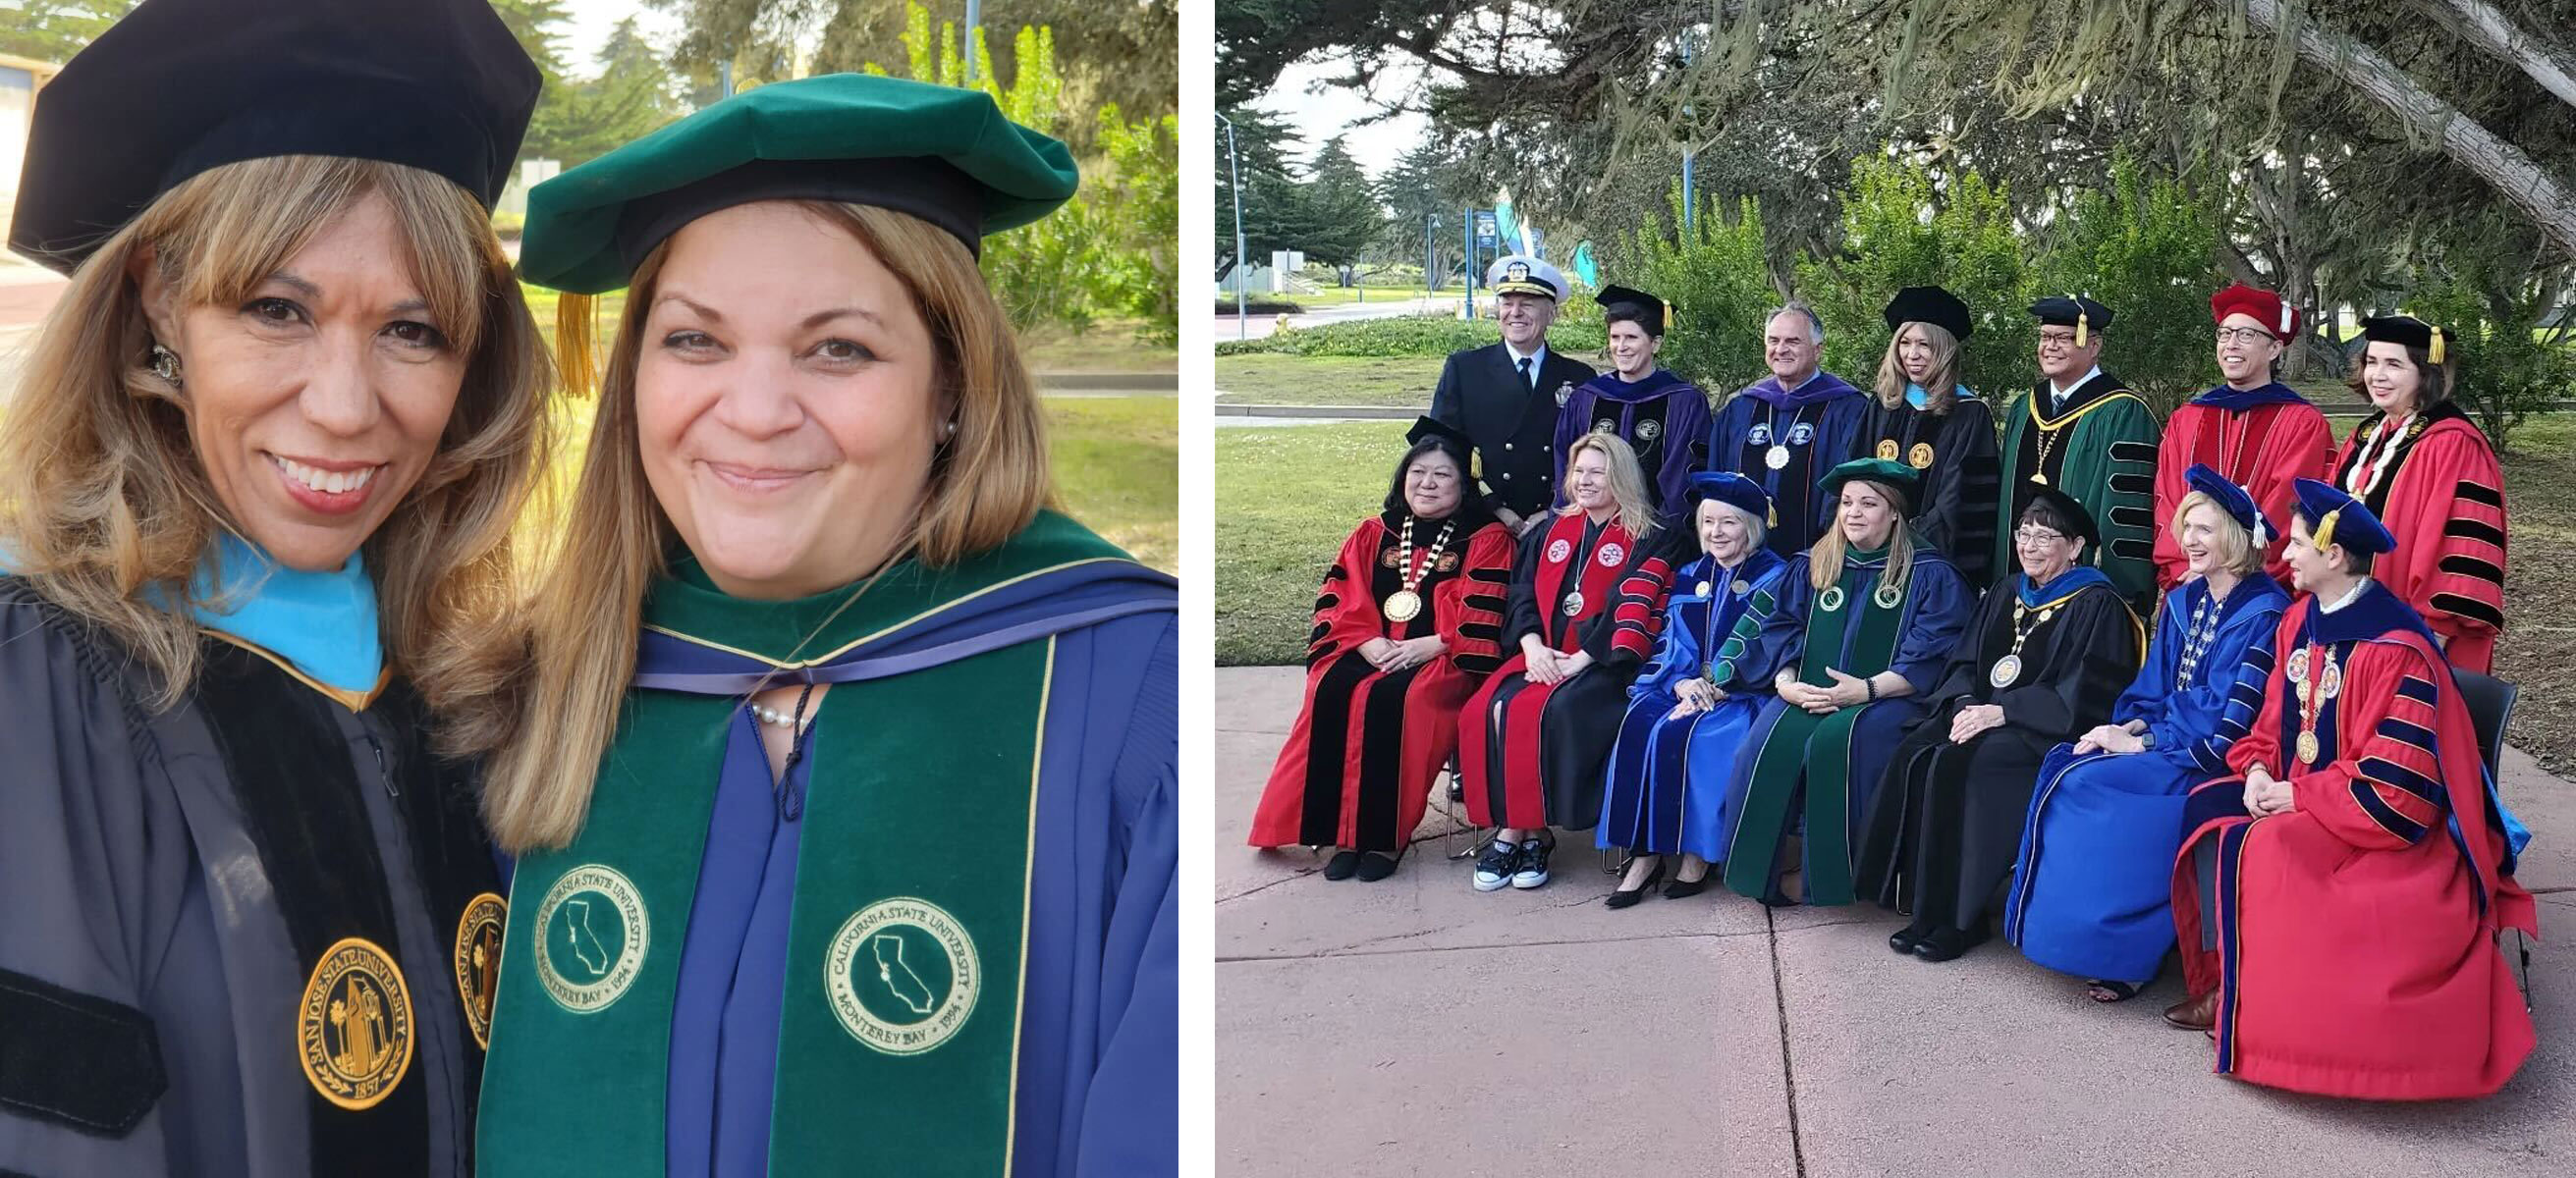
x=2260 y=450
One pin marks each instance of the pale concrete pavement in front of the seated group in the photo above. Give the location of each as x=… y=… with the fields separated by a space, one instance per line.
x=1423 y=1030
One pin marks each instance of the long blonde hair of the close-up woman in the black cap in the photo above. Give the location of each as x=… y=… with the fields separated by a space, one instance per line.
x=107 y=504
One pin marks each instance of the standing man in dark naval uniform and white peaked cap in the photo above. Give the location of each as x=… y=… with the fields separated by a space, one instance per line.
x=1506 y=396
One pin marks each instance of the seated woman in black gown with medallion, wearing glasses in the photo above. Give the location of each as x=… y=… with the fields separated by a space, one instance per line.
x=2041 y=664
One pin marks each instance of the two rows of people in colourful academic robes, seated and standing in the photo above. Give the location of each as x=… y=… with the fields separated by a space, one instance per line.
x=2119 y=687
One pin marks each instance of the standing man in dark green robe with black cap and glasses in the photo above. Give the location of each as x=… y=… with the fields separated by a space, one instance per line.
x=2085 y=434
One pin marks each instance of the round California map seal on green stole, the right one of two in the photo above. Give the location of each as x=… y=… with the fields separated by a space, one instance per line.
x=903 y=976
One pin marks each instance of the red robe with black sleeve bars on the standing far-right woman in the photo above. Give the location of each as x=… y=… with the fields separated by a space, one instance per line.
x=2443 y=499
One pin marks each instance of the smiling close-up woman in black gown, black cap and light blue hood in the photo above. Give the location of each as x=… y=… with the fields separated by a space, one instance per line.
x=256 y=496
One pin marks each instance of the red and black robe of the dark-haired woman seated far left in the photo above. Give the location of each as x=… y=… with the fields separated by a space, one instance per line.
x=1367 y=749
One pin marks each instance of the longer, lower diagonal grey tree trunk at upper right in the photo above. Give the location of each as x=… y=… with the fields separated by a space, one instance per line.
x=2472 y=146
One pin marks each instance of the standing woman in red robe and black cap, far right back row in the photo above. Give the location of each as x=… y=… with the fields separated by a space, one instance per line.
x=2433 y=478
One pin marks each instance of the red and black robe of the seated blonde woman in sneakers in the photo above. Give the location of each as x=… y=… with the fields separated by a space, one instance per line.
x=1531 y=754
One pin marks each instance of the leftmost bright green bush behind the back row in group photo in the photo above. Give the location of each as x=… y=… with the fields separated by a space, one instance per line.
x=1714 y=287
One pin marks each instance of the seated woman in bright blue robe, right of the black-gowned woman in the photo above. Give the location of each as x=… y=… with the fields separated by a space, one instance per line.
x=2093 y=885
